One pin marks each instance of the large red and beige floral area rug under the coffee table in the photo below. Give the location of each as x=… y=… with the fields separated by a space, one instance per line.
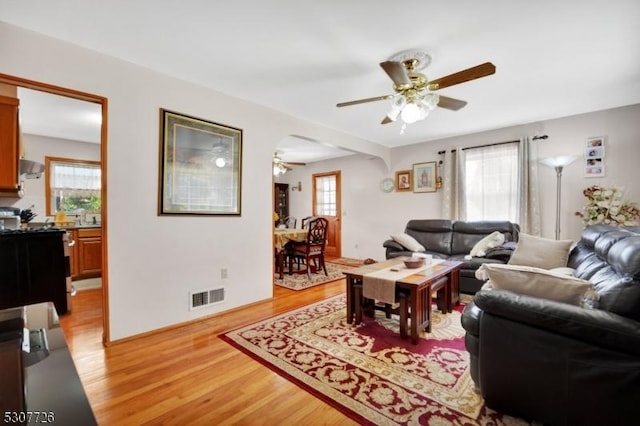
x=367 y=371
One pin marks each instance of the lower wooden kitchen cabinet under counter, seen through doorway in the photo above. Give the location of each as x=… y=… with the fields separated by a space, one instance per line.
x=86 y=253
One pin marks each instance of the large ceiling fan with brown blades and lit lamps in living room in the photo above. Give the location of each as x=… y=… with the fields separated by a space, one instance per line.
x=415 y=95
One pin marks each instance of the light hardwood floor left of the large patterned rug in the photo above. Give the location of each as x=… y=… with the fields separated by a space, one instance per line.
x=187 y=375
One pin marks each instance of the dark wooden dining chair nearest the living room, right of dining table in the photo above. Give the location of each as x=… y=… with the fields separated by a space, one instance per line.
x=312 y=248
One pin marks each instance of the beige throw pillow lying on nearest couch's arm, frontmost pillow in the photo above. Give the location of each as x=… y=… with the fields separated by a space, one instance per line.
x=539 y=283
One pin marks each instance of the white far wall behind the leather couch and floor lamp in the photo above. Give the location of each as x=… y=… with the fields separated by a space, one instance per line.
x=371 y=215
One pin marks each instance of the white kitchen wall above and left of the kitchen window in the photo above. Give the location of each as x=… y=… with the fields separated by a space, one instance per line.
x=36 y=148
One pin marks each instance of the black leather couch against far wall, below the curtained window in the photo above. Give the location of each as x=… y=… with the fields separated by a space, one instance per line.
x=453 y=240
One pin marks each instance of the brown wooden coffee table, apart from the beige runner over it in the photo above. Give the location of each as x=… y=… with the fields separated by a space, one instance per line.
x=413 y=292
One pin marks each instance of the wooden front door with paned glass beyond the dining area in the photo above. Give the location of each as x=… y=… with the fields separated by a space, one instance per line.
x=326 y=204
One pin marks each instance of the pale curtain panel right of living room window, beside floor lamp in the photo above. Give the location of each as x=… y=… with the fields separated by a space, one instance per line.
x=528 y=200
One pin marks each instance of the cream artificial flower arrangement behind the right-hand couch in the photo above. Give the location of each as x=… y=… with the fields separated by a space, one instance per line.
x=606 y=205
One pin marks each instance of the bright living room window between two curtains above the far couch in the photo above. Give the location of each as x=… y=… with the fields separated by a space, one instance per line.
x=491 y=182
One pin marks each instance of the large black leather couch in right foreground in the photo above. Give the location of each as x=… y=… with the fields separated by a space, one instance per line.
x=562 y=364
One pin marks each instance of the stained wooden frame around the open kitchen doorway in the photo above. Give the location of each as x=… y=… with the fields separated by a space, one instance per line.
x=102 y=102
